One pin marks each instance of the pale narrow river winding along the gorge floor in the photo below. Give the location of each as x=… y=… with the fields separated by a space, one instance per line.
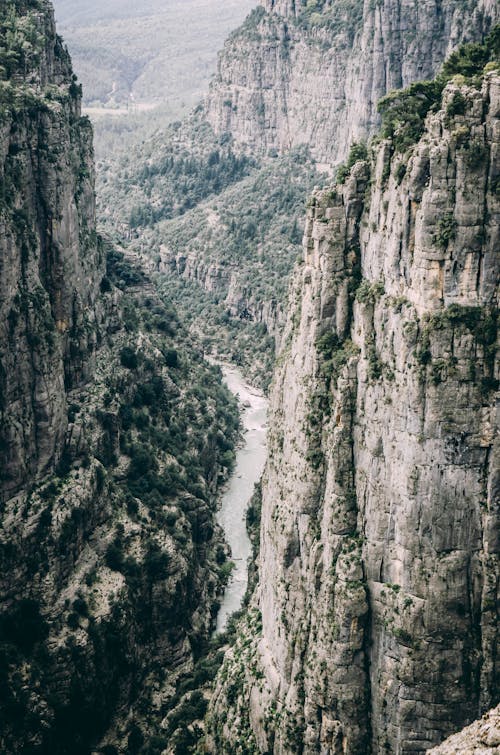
x=250 y=460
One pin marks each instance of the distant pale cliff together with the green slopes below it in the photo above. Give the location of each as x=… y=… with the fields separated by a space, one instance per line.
x=296 y=84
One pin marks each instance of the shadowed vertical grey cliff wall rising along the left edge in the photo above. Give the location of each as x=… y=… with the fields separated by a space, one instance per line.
x=50 y=261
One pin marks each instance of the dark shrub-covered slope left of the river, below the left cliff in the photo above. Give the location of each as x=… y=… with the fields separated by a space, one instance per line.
x=162 y=429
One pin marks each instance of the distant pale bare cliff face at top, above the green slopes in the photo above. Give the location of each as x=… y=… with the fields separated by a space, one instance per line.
x=296 y=75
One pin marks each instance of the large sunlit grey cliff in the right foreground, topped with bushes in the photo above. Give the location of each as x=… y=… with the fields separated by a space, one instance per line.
x=373 y=626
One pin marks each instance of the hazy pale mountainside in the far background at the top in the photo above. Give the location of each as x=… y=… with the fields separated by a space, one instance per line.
x=159 y=51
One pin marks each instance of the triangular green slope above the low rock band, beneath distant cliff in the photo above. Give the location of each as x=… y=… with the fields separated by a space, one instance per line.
x=255 y=224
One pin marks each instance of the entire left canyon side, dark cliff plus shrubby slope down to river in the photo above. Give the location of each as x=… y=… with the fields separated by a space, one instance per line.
x=107 y=585
